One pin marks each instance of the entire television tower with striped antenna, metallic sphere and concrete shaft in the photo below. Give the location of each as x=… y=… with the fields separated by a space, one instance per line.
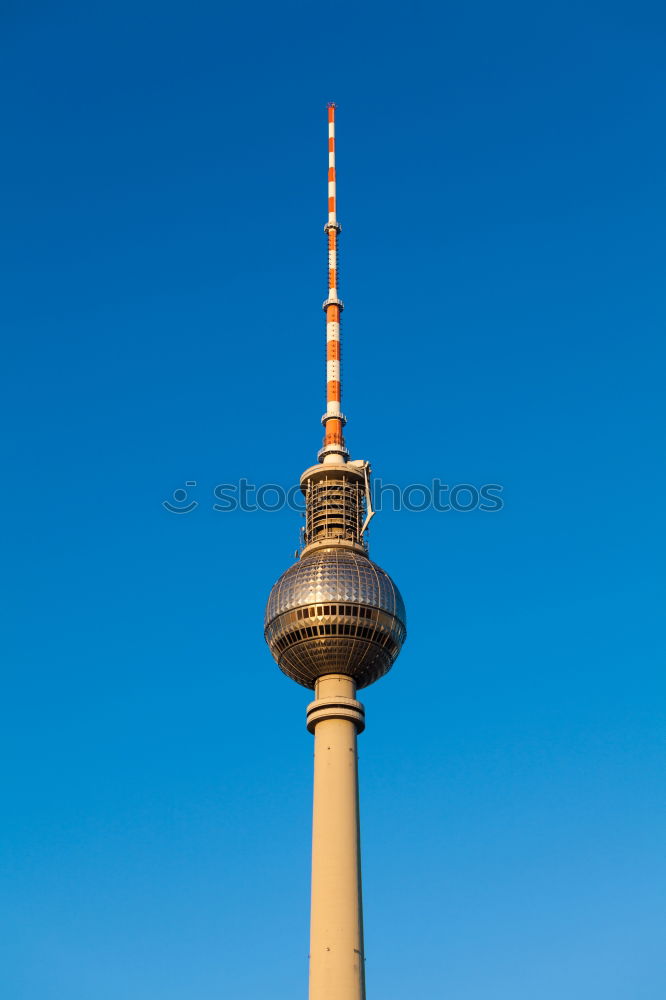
x=335 y=622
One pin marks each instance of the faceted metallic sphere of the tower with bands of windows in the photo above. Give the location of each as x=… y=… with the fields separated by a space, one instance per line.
x=335 y=612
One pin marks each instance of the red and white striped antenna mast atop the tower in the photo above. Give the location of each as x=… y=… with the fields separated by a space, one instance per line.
x=334 y=450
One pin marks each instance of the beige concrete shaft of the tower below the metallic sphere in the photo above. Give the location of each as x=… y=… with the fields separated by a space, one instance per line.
x=336 y=925
